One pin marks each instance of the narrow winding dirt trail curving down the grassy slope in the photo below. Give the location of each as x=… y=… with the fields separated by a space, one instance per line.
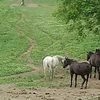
x=26 y=54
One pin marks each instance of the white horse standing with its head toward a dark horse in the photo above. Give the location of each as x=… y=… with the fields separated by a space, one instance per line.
x=50 y=63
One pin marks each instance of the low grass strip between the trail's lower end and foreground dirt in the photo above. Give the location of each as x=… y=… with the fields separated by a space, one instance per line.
x=36 y=81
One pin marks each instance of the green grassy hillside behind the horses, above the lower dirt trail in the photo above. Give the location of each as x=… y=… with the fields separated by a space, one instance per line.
x=36 y=22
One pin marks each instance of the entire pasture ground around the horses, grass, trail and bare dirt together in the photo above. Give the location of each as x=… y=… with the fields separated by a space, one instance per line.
x=28 y=34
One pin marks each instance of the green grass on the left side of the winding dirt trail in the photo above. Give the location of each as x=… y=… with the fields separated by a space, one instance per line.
x=12 y=44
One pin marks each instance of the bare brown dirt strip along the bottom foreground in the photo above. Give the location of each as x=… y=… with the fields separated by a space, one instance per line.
x=11 y=92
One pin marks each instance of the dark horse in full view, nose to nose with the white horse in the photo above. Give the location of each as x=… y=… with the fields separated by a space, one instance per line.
x=82 y=68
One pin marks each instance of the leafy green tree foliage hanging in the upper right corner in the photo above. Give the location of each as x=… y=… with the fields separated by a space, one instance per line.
x=82 y=14
